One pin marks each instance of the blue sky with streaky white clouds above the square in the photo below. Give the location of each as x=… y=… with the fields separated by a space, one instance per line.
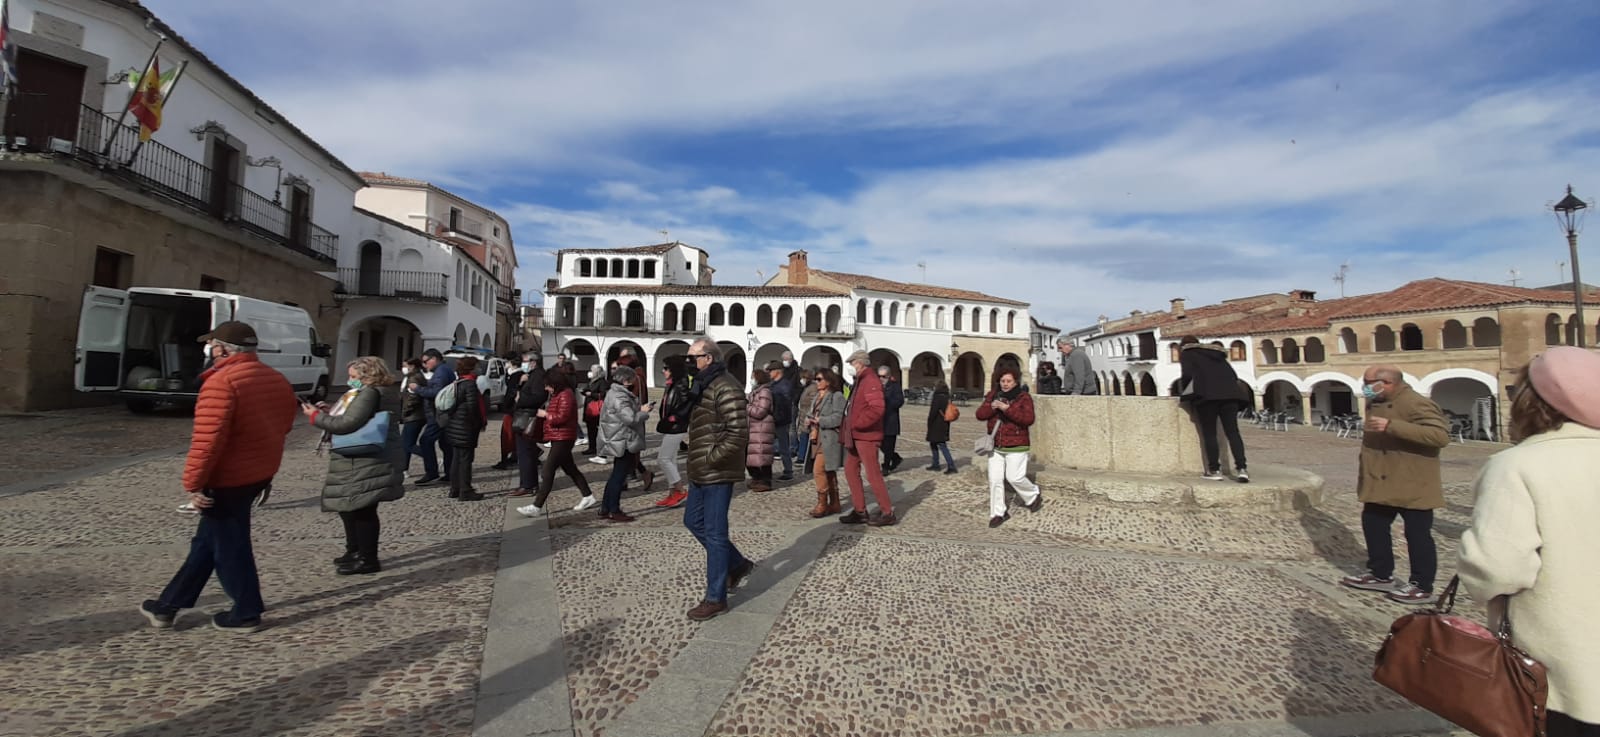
x=1089 y=157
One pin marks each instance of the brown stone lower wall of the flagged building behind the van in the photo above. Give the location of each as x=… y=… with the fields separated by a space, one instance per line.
x=55 y=217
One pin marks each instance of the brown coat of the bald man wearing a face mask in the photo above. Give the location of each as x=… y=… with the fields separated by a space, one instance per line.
x=1401 y=466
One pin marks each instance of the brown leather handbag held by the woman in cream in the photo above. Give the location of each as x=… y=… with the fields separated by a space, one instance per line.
x=1463 y=672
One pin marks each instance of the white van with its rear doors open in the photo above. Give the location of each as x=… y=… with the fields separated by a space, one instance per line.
x=142 y=345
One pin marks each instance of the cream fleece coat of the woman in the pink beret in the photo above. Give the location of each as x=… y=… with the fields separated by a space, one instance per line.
x=1534 y=540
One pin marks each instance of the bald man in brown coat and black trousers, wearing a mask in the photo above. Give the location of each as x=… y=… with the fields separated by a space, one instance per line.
x=1399 y=477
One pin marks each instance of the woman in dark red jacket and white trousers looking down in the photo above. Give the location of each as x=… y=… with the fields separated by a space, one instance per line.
x=1009 y=413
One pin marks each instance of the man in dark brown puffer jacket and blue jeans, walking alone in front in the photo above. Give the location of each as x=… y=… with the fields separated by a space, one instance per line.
x=719 y=432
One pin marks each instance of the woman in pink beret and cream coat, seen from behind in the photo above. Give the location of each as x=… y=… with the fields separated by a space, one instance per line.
x=1535 y=536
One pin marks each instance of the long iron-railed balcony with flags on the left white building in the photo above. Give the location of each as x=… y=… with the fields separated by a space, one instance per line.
x=161 y=172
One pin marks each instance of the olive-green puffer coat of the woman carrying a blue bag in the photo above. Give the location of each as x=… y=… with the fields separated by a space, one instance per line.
x=359 y=484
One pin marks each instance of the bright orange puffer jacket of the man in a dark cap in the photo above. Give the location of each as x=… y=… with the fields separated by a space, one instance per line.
x=242 y=418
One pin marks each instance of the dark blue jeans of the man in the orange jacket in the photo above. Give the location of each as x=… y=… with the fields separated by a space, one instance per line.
x=222 y=544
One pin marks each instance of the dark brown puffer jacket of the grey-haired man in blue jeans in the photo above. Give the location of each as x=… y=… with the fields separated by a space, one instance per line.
x=719 y=429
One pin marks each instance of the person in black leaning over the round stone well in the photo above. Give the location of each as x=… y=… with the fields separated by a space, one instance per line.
x=1210 y=386
